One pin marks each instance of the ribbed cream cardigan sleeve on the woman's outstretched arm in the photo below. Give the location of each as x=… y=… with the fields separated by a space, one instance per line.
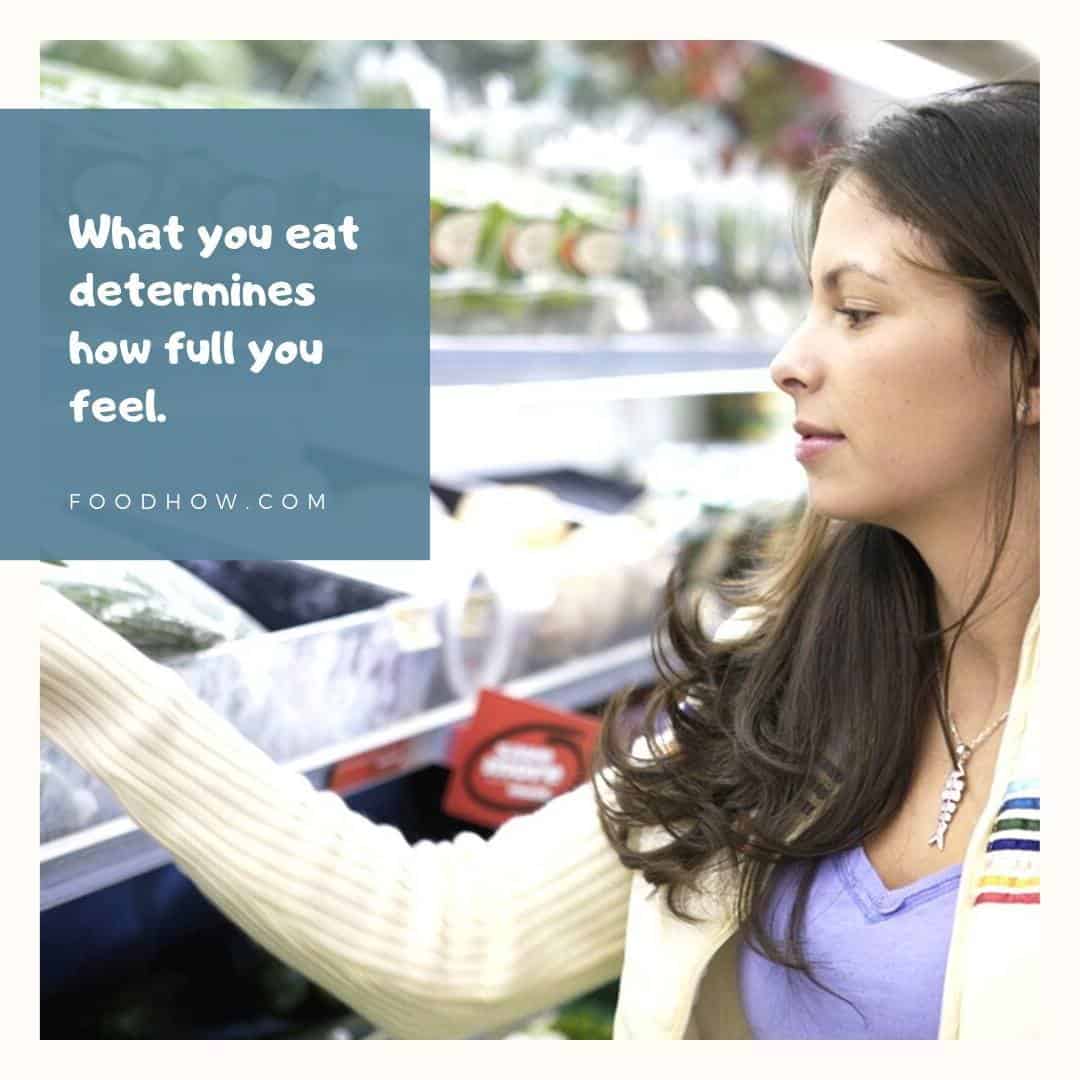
x=428 y=941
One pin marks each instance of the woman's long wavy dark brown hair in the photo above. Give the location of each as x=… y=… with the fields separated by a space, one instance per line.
x=845 y=653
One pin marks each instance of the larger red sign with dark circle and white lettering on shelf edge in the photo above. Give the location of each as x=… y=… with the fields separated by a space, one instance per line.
x=514 y=757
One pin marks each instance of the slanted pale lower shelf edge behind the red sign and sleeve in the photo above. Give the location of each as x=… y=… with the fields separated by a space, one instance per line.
x=105 y=855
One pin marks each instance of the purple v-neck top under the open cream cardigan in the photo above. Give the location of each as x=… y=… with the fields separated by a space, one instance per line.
x=885 y=950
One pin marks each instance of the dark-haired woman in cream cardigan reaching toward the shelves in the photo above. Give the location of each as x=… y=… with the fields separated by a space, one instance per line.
x=787 y=859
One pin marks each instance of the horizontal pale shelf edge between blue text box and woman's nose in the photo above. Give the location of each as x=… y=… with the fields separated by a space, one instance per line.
x=562 y=367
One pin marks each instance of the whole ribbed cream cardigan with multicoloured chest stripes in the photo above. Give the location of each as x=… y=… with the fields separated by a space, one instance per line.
x=466 y=937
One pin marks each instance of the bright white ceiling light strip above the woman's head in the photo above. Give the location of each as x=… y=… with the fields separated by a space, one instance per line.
x=877 y=65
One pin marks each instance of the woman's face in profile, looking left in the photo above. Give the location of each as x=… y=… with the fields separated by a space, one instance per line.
x=924 y=408
